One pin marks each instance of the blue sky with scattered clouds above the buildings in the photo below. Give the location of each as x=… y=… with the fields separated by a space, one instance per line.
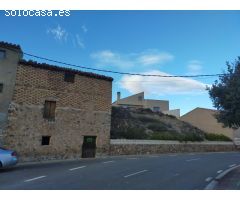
x=151 y=42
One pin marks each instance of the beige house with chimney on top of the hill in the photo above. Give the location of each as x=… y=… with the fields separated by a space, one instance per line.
x=138 y=101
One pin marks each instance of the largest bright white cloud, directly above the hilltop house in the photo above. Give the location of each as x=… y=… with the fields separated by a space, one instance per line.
x=161 y=86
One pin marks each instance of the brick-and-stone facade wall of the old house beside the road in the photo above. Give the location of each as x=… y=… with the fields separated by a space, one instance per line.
x=82 y=108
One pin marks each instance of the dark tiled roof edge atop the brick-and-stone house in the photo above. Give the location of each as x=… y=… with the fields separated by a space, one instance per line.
x=64 y=69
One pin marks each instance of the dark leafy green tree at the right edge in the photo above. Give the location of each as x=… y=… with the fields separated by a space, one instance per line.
x=225 y=94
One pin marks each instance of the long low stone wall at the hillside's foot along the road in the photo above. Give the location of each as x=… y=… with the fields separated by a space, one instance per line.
x=141 y=147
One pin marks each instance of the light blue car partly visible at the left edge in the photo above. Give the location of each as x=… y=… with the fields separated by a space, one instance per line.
x=7 y=158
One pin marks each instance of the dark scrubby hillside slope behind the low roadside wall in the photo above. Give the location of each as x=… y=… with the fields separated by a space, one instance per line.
x=132 y=123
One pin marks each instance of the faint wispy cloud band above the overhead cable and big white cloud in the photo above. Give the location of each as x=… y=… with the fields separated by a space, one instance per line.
x=146 y=58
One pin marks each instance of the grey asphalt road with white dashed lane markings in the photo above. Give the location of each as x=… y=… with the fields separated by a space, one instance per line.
x=168 y=171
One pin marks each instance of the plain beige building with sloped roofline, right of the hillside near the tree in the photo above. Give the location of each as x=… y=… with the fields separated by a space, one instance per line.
x=204 y=119
